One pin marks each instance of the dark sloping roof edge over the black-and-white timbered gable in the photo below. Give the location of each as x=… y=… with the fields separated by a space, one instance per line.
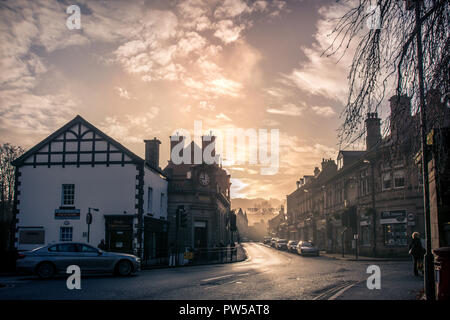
x=77 y=120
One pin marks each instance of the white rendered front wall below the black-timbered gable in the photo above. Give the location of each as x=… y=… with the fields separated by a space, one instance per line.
x=111 y=189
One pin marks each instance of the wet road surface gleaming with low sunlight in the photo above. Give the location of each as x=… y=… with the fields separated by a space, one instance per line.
x=266 y=274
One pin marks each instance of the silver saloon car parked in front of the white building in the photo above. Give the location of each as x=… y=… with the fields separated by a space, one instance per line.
x=55 y=258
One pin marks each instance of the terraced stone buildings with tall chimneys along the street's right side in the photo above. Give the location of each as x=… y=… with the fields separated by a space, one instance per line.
x=371 y=198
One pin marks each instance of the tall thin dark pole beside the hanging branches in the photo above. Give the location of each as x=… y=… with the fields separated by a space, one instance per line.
x=429 y=259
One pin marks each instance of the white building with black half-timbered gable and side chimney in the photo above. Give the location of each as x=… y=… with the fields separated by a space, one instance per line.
x=79 y=171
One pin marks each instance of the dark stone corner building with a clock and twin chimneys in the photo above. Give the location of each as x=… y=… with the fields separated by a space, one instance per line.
x=203 y=191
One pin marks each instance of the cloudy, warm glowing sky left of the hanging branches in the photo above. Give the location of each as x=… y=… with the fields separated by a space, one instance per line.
x=144 y=69
